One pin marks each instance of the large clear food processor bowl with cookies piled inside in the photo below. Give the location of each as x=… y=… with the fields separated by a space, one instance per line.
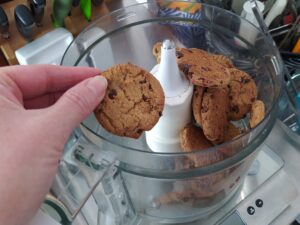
x=161 y=187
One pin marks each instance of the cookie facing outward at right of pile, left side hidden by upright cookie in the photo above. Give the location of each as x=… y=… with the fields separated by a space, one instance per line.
x=242 y=93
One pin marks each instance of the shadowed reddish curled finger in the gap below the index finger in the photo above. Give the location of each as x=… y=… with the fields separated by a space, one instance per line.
x=43 y=101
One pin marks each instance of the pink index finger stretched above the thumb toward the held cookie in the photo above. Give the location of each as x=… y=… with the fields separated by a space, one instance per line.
x=36 y=80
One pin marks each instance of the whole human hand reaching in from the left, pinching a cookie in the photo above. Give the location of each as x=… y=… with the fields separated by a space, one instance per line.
x=38 y=112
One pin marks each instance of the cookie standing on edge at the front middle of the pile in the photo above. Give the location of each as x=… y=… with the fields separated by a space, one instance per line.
x=214 y=110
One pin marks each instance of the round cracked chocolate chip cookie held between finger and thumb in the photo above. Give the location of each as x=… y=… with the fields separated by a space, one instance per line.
x=133 y=102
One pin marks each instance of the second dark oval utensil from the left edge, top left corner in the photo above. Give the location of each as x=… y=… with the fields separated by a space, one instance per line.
x=25 y=22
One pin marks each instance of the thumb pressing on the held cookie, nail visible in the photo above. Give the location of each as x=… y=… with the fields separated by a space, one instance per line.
x=78 y=102
